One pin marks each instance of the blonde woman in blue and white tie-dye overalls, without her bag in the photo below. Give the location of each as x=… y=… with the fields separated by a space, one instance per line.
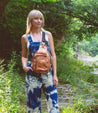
x=35 y=82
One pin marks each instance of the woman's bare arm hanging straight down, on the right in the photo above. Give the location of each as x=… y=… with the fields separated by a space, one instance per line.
x=51 y=43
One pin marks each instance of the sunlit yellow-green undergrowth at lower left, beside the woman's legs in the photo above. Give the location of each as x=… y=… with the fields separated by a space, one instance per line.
x=12 y=96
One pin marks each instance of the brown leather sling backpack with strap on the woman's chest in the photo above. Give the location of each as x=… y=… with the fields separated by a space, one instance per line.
x=41 y=59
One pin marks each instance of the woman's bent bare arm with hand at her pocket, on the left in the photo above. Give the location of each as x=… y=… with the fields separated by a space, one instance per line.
x=24 y=53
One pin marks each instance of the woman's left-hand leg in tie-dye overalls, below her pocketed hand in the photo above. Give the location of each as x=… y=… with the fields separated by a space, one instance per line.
x=33 y=93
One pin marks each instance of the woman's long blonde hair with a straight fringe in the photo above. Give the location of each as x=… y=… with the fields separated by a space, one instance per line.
x=31 y=15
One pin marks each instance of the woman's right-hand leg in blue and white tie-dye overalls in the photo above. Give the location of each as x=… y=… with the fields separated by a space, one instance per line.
x=50 y=93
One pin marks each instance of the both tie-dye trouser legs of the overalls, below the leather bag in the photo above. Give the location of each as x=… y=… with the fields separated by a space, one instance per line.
x=34 y=85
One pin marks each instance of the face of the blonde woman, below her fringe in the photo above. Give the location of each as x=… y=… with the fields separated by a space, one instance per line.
x=37 y=21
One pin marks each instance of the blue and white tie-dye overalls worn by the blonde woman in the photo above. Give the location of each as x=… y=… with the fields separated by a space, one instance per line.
x=36 y=82
